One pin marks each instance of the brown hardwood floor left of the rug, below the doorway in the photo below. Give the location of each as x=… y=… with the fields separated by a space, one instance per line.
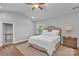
x=10 y=51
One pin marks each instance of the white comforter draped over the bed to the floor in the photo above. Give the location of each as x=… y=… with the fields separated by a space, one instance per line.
x=46 y=42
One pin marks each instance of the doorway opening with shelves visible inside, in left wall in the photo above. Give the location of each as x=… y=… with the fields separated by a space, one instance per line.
x=7 y=33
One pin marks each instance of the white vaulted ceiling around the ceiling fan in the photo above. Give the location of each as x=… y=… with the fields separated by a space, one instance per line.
x=50 y=9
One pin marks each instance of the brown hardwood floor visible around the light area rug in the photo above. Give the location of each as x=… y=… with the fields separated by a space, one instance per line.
x=13 y=51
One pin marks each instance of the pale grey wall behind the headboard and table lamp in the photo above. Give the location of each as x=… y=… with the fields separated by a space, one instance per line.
x=63 y=21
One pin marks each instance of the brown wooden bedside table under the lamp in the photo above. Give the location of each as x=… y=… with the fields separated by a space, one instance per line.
x=70 y=42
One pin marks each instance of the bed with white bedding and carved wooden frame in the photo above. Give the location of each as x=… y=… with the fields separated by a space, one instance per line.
x=48 y=41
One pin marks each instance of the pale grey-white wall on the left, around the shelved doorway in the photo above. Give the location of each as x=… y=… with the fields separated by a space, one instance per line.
x=23 y=26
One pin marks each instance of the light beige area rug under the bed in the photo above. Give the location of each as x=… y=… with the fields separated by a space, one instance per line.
x=26 y=50
